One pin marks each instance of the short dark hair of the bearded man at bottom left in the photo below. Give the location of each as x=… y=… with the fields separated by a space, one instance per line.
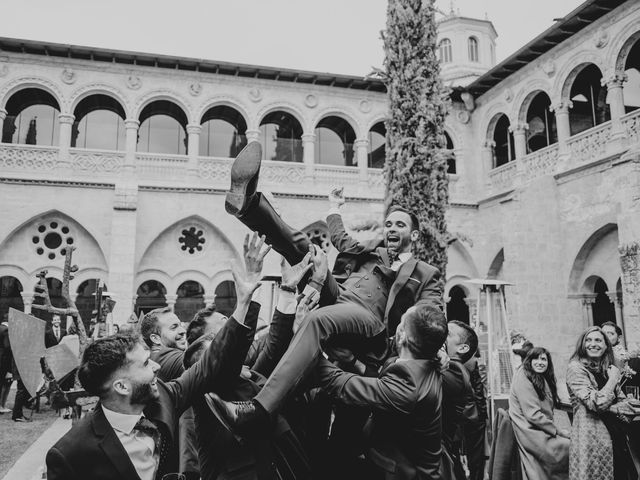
x=103 y=358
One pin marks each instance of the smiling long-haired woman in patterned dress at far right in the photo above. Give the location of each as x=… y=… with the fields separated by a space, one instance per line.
x=599 y=449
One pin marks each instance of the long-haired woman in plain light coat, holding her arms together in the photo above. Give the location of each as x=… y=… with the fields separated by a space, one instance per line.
x=544 y=448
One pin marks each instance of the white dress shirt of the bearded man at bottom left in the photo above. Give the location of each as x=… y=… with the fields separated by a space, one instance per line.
x=139 y=446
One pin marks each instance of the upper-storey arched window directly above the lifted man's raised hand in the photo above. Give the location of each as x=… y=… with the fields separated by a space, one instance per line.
x=334 y=142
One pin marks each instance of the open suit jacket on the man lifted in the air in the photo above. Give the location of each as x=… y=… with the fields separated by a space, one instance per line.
x=416 y=281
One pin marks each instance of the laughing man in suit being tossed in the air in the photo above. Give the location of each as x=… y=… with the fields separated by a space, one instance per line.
x=383 y=280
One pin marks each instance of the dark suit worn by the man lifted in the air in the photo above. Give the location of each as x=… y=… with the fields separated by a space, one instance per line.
x=367 y=306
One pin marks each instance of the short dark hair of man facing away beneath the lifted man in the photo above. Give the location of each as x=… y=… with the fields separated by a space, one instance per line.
x=426 y=328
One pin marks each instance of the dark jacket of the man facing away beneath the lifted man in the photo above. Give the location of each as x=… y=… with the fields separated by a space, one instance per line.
x=404 y=431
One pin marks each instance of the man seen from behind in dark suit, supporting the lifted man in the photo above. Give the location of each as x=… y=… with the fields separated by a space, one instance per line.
x=404 y=432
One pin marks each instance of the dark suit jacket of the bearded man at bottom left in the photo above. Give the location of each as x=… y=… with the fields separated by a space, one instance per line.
x=91 y=448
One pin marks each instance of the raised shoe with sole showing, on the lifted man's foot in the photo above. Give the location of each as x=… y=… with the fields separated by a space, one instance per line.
x=244 y=179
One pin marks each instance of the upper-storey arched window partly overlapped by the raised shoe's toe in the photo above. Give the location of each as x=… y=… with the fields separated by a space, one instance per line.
x=223 y=132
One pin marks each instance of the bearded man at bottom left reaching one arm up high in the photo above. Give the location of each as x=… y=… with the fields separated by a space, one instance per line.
x=131 y=433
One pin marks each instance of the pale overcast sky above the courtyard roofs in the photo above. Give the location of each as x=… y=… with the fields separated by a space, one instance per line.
x=336 y=36
